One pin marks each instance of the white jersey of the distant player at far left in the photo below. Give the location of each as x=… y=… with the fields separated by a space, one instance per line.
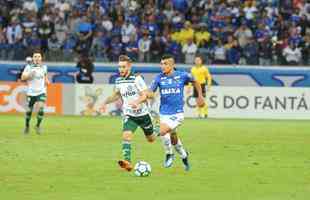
x=36 y=84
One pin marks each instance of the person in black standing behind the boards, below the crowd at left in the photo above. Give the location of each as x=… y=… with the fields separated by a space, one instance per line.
x=86 y=68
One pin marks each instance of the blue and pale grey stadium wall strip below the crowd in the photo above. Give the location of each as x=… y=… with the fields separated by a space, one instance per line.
x=228 y=76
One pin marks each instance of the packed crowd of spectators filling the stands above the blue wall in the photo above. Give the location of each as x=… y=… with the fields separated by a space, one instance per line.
x=251 y=32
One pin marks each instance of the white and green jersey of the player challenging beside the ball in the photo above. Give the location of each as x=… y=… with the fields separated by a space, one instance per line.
x=130 y=88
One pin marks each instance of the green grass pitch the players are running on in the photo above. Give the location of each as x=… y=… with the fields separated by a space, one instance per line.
x=76 y=159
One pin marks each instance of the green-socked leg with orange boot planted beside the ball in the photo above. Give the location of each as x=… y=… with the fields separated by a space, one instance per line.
x=129 y=126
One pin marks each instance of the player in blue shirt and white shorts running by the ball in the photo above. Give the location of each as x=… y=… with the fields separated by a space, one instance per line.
x=171 y=85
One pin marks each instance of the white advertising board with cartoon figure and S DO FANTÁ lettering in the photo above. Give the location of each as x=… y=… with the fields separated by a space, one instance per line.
x=223 y=102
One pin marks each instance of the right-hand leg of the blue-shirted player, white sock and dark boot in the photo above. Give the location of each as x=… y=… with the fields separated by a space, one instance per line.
x=176 y=142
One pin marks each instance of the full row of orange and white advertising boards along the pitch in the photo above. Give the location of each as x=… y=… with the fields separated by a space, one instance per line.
x=224 y=102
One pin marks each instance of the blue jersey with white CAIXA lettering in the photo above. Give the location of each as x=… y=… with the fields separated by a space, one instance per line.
x=171 y=90
